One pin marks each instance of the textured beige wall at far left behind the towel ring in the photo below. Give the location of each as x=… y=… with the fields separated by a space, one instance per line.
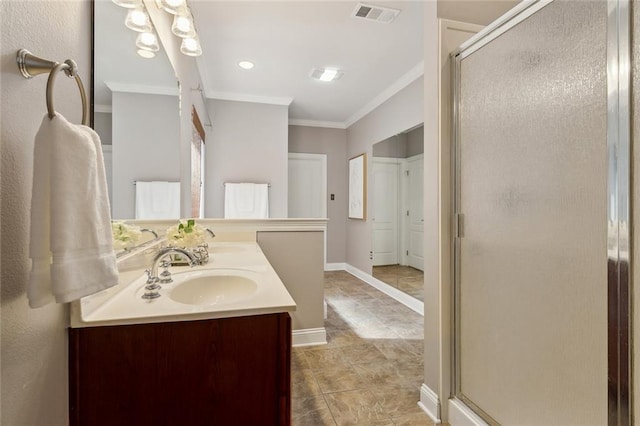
x=34 y=343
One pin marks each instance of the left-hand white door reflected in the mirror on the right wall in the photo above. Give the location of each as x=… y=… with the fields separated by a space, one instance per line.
x=385 y=211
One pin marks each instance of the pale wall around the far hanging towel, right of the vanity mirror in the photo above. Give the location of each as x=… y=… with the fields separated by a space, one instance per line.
x=248 y=143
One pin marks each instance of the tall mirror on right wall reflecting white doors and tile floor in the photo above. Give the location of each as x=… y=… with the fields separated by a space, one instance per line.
x=397 y=211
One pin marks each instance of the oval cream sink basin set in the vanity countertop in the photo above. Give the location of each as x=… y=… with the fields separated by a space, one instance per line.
x=211 y=287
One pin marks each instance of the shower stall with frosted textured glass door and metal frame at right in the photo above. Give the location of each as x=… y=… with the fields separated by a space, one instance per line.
x=543 y=125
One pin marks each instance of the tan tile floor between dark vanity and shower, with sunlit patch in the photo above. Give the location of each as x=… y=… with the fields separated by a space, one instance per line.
x=370 y=372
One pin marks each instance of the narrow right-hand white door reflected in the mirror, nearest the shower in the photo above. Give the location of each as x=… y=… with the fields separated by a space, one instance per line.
x=415 y=256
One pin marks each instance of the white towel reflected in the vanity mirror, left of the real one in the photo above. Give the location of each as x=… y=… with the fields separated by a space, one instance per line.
x=157 y=200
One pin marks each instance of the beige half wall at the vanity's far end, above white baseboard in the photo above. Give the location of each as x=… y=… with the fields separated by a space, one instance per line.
x=304 y=276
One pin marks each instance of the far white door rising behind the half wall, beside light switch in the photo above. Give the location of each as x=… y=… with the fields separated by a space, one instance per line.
x=307 y=185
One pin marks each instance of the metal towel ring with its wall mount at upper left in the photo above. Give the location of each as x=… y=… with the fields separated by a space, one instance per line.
x=31 y=65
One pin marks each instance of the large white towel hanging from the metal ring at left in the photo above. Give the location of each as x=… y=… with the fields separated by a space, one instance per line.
x=70 y=239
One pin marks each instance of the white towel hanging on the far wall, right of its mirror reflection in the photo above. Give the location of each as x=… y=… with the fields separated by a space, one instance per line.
x=246 y=200
